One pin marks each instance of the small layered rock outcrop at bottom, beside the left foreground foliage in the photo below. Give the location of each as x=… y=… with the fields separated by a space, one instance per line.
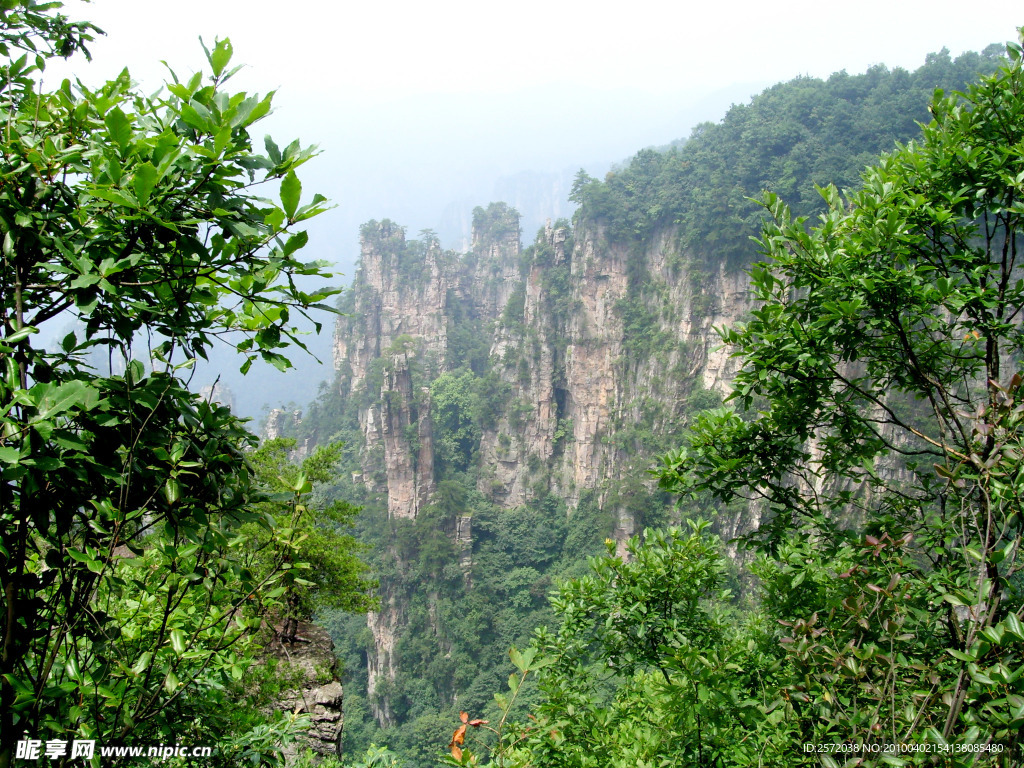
x=312 y=666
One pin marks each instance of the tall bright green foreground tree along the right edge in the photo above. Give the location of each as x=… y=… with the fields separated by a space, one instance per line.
x=879 y=419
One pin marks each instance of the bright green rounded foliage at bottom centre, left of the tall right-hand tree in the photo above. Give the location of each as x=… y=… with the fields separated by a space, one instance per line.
x=643 y=670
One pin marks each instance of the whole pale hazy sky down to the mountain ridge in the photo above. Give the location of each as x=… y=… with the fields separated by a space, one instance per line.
x=422 y=108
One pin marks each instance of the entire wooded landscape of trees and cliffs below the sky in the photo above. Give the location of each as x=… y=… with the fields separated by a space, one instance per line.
x=724 y=473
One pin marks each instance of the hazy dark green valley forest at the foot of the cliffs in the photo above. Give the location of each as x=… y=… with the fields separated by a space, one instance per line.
x=453 y=646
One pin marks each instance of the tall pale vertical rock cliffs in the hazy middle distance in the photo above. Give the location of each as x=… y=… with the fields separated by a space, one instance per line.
x=595 y=355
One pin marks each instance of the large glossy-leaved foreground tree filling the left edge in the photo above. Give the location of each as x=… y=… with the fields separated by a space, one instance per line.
x=127 y=600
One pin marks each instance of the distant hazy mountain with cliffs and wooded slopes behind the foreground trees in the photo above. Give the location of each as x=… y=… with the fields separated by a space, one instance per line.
x=501 y=409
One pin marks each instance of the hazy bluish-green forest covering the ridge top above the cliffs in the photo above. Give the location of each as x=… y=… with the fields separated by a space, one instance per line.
x=790 y=138
